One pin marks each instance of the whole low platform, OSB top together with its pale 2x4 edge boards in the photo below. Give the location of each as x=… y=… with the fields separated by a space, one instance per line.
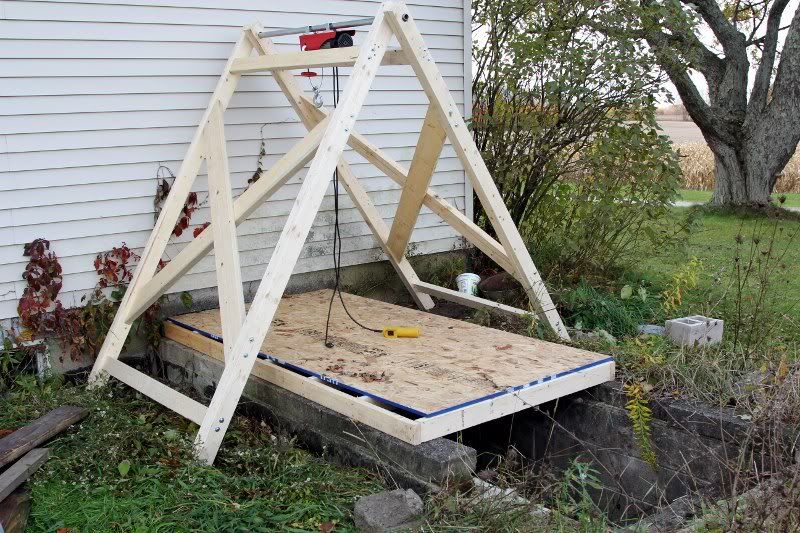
x=455 y=375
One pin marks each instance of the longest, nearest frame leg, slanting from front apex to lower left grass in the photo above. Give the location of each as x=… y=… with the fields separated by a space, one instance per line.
x=290 y=244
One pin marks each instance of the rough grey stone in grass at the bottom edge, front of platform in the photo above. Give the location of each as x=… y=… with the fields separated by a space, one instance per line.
x=394 y=510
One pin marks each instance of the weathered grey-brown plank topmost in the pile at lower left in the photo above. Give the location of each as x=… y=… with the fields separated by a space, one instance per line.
x=23 y=440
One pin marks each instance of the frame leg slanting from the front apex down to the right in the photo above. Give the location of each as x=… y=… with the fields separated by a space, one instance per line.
x=419 y=57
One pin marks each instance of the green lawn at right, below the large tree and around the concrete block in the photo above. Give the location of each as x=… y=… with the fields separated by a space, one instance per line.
x=747 y=276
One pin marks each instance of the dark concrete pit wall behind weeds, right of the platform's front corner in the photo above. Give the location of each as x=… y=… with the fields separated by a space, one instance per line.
x=693 y=445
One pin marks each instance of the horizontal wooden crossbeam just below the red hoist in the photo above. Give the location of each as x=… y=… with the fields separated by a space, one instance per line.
x=331 y=57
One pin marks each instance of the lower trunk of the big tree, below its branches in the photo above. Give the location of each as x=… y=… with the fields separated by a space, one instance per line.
x=742 y=177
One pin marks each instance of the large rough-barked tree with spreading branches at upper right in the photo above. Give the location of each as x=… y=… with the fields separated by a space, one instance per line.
x=752 y=134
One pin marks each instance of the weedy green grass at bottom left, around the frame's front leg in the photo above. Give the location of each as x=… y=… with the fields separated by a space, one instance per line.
x=260 y=481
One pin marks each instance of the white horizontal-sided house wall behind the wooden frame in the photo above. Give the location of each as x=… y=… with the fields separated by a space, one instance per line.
x=96 y=94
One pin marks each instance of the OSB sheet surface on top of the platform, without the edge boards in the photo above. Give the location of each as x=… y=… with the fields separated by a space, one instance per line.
x=451 y=363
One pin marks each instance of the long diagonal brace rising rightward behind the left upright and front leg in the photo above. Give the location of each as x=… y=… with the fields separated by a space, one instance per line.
x=245 y=204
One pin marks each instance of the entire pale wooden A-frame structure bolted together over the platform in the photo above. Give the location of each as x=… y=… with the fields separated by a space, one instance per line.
x=328 y=133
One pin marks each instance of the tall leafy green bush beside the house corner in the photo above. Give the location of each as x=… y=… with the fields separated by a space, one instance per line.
x=564 y=115
